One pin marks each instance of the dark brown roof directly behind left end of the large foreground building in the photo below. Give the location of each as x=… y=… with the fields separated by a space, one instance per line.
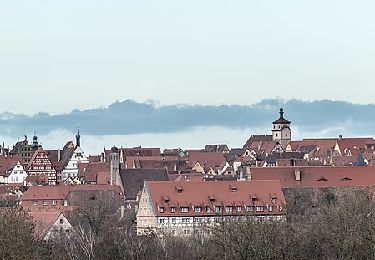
x=133 y=180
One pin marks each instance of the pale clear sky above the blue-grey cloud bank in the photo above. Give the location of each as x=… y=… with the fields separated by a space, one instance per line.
x=57 y=56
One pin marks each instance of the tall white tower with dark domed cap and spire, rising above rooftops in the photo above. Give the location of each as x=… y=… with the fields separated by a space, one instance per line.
x=281 y=131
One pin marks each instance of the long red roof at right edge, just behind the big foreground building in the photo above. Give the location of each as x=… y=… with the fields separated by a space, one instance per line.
x=321 y=176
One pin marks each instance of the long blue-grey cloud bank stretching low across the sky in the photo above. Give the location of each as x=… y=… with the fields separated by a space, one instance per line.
x=131 y=117
